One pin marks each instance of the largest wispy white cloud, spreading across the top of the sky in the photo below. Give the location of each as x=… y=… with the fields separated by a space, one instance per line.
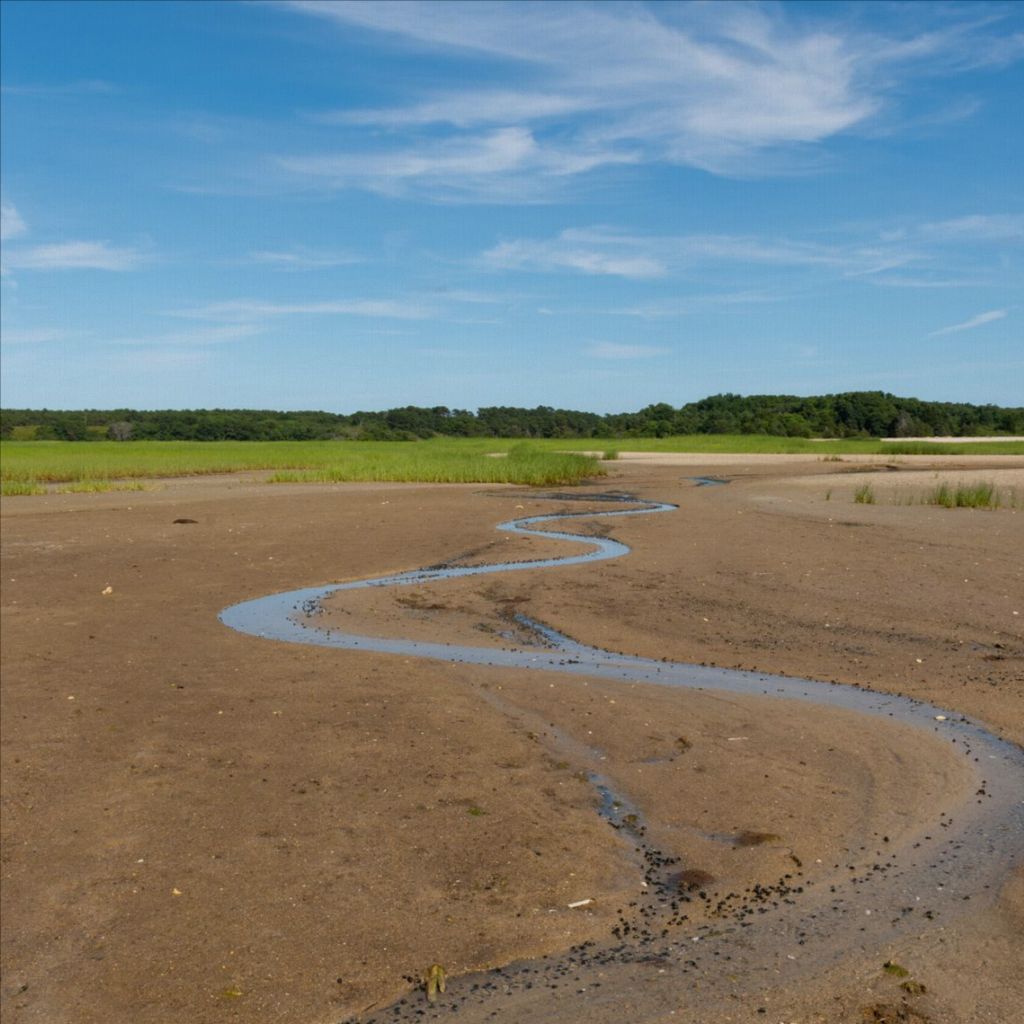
x=734 y=90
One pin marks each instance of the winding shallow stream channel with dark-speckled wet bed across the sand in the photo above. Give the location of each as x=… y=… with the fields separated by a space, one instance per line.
x=762 y=937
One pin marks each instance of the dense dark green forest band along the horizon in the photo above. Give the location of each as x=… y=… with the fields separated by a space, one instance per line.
x=856 y=414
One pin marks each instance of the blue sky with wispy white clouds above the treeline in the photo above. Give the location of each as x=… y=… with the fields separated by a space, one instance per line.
x=346 y=206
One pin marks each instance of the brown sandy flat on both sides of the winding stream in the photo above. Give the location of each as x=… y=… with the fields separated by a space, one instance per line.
x=203 y=827
